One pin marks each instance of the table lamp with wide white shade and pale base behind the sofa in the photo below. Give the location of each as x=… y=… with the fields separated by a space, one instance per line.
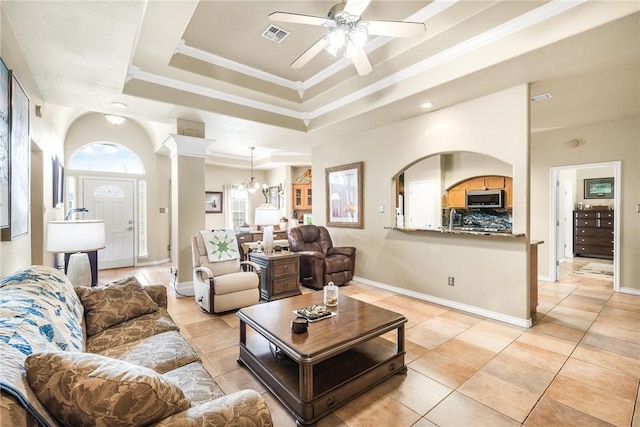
x=77 y=238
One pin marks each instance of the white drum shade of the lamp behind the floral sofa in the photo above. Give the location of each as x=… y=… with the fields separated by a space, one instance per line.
x=75 y=236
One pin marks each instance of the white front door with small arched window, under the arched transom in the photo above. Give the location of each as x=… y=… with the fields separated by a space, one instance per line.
x=112 y=201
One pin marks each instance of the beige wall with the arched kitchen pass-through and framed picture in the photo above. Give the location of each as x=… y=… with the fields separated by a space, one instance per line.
x=491 y=273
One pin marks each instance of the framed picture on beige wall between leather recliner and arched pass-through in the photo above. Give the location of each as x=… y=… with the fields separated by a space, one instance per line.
x=344 y=196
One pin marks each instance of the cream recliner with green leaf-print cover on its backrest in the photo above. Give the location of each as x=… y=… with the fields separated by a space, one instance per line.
x=221 y=281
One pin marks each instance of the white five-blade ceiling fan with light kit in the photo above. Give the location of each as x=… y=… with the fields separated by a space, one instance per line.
x=347 y=32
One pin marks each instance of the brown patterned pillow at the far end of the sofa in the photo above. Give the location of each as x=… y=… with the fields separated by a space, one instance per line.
x=116 y=302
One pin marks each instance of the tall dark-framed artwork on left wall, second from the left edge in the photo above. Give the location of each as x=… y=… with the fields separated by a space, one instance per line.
x=19 y=163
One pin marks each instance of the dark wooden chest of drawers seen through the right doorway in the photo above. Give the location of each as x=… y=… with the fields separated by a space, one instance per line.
x=593 y=233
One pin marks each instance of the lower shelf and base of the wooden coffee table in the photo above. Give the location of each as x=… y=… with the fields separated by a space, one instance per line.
x=336 y=380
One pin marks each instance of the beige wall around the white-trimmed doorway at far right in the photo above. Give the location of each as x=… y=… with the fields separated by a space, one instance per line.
x=607 y=142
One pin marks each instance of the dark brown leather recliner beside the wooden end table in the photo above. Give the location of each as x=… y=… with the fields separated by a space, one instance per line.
x=320 y=261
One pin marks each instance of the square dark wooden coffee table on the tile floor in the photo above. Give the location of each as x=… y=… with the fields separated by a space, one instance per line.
x=337 y=359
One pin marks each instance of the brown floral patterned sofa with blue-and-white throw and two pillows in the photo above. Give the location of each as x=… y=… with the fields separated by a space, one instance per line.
x=109 y=355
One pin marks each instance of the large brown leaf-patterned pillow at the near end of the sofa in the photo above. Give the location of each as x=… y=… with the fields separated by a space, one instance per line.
x=86 y=389
